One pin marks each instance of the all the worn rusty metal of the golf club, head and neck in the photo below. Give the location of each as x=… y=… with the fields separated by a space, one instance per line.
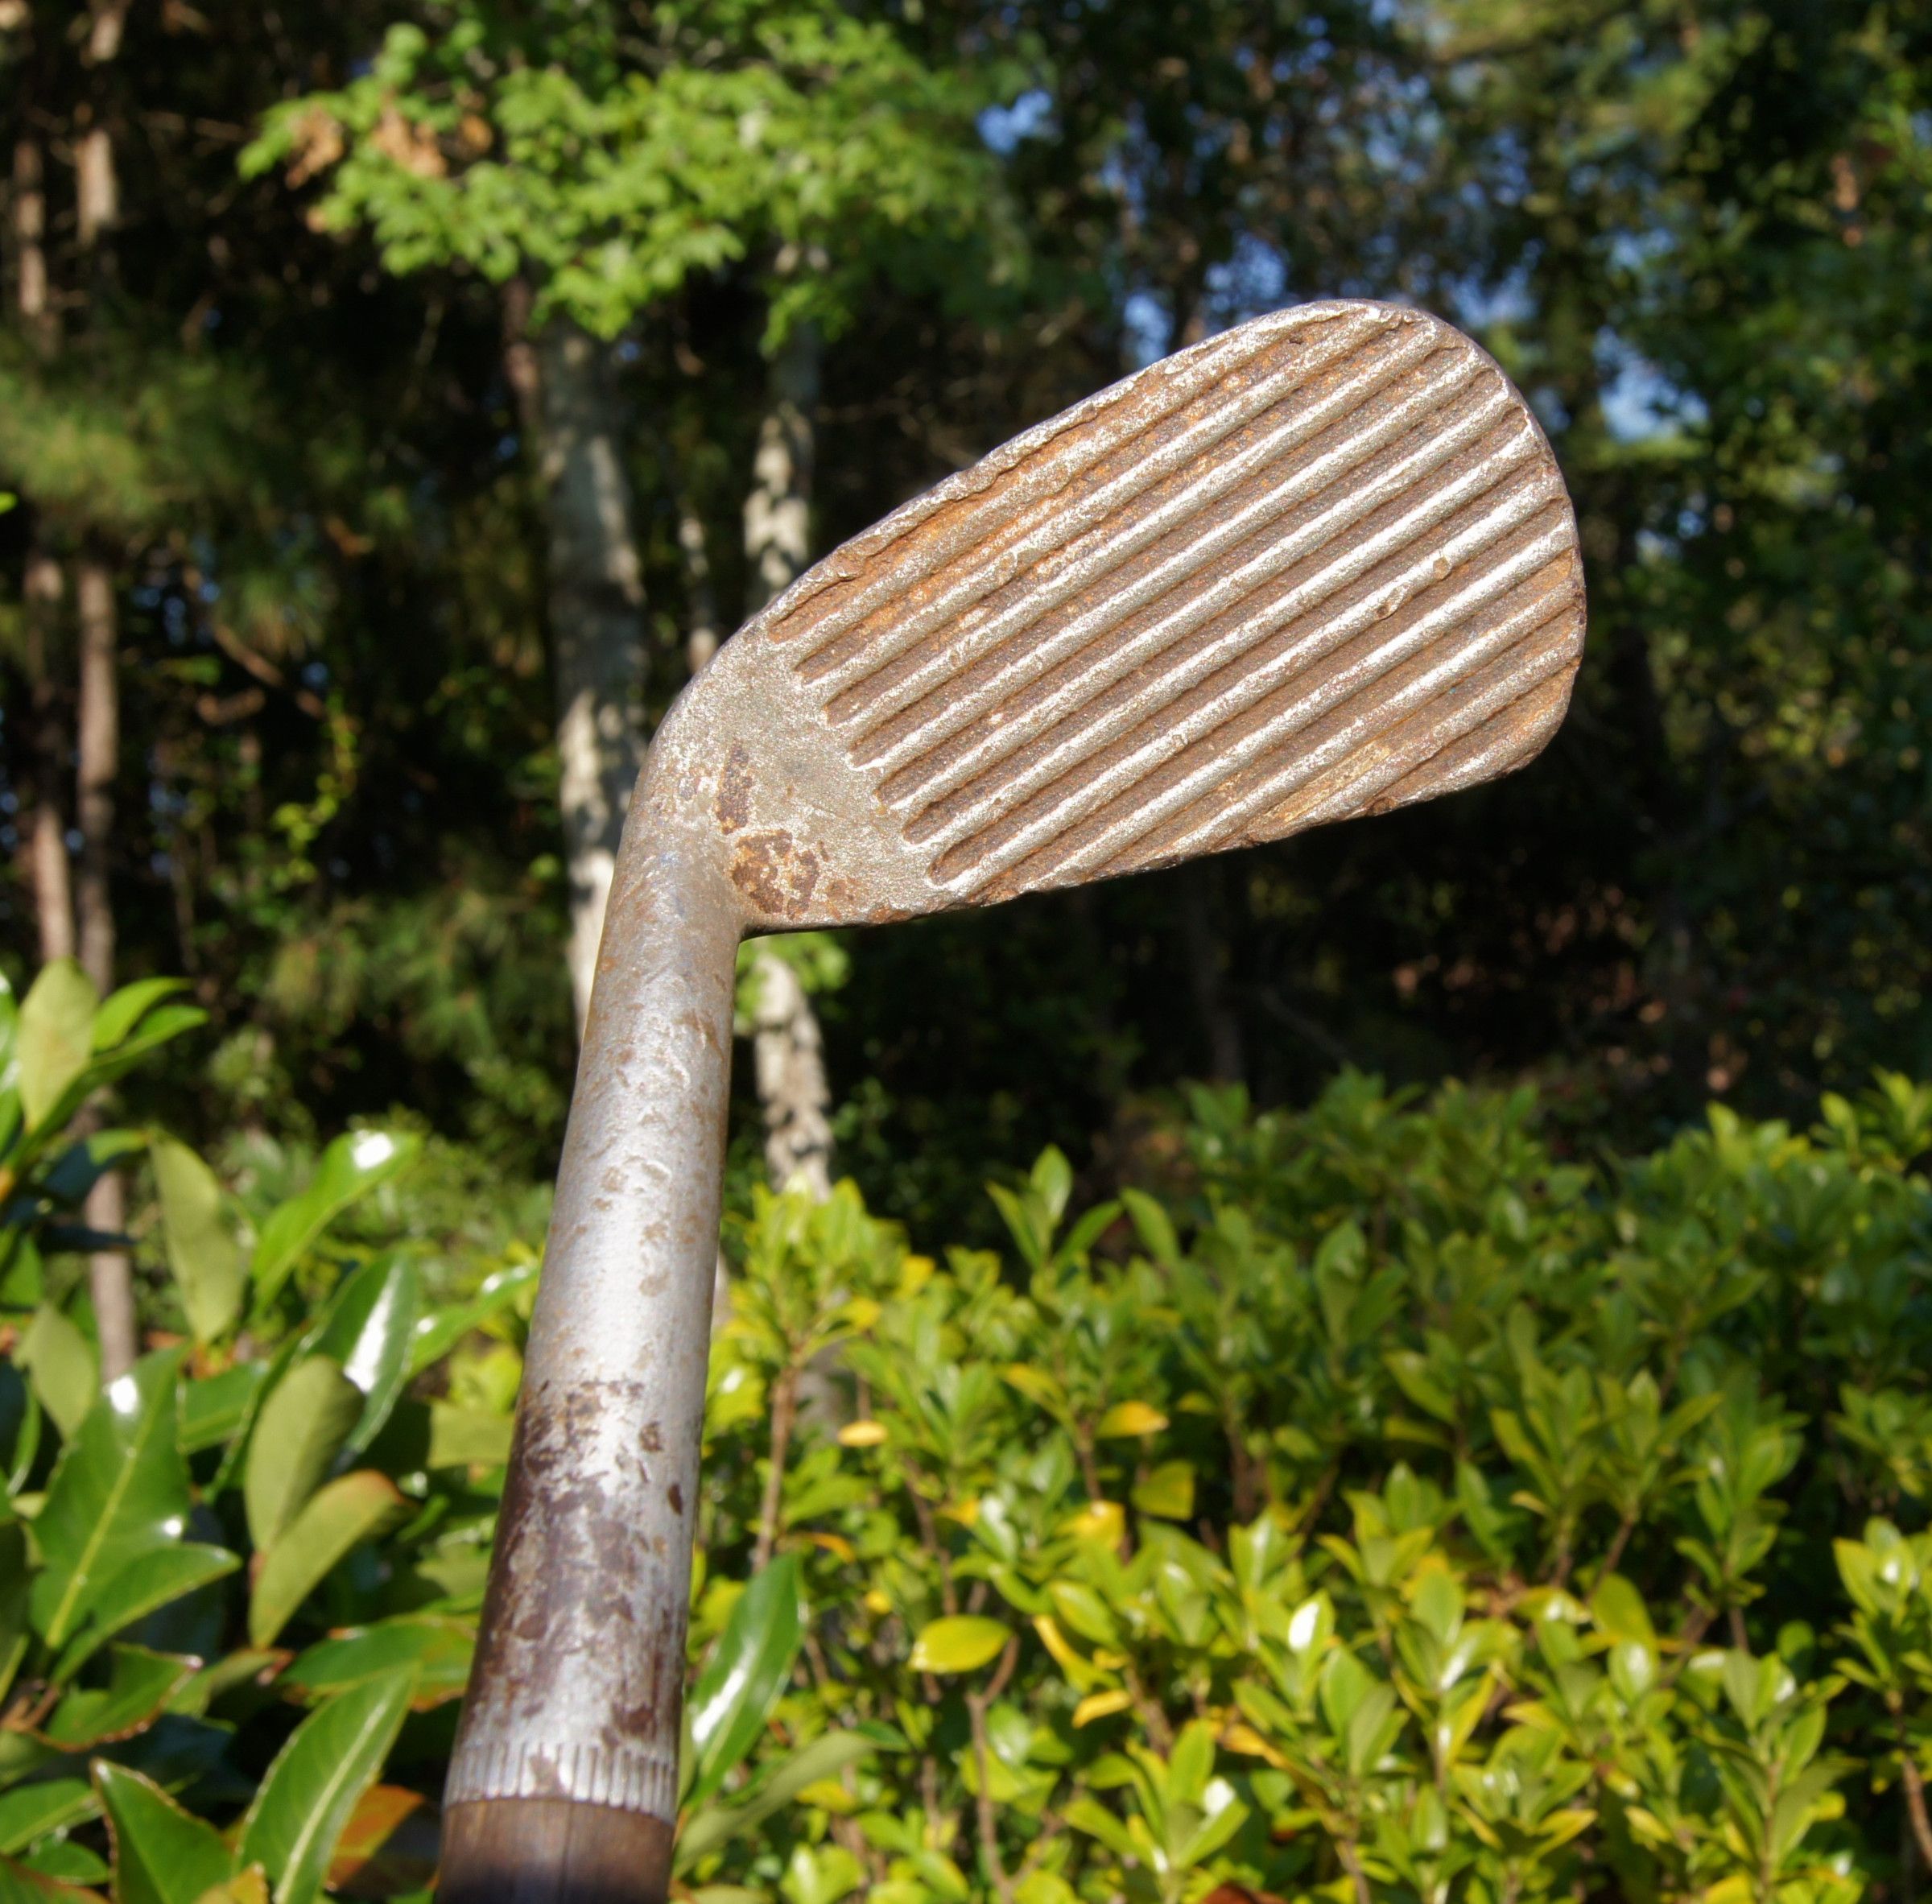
x=1317 y=567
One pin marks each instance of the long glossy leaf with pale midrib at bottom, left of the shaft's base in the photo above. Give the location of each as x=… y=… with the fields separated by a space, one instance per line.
x=312 y=1787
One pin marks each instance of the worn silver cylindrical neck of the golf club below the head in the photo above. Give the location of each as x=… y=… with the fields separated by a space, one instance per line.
x=577 y=1694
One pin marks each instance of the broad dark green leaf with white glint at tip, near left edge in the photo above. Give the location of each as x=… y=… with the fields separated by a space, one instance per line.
x=119 y=1491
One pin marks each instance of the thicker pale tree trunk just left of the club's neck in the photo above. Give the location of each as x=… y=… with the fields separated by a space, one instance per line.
x=596 y=602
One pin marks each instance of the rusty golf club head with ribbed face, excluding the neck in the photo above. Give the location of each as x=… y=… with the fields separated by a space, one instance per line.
x=1321 y=565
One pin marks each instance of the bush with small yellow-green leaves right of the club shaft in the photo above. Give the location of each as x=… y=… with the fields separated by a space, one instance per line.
x=1377 y=1507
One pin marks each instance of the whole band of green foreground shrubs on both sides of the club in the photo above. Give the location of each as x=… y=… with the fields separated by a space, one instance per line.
x=1367 y=1505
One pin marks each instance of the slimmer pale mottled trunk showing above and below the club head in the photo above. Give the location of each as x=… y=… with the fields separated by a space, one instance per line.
x=789 y=1056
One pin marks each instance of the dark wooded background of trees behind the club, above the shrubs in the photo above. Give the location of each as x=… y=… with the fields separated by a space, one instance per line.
x=273 y=389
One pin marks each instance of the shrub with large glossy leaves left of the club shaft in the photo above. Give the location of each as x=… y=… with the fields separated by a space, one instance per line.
x=177 y=1547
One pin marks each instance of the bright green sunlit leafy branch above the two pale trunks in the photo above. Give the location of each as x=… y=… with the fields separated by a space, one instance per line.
x=542 y=144
